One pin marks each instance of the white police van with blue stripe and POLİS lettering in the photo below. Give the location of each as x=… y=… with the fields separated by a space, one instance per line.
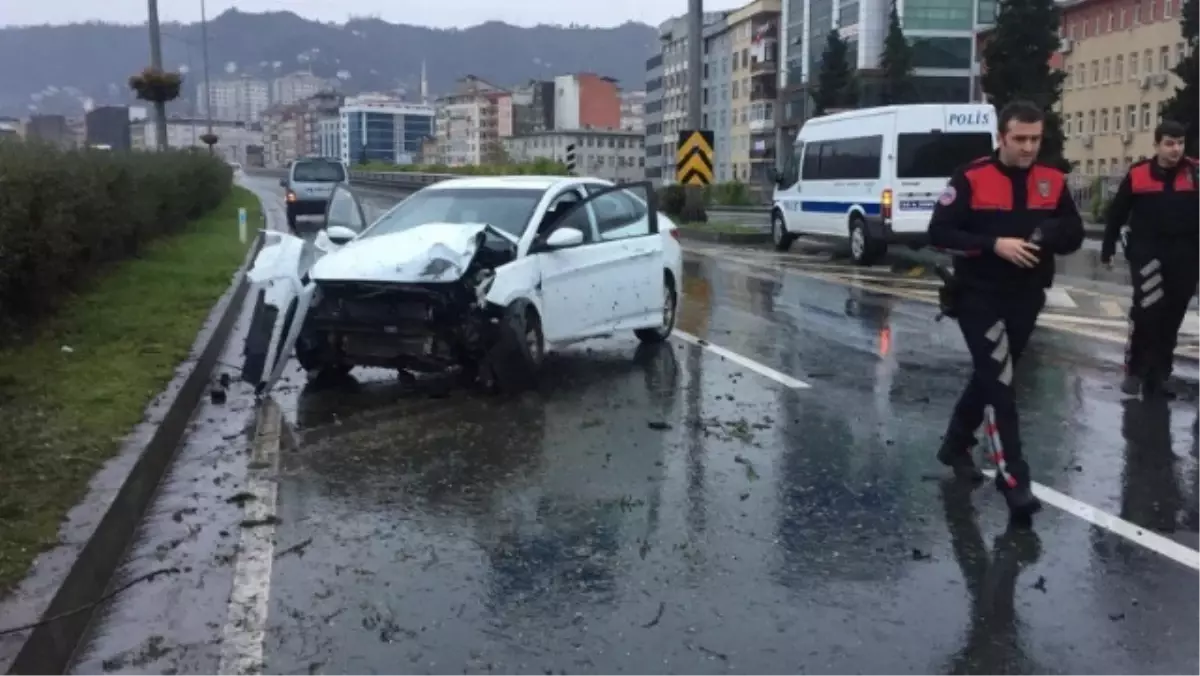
x=872 y=177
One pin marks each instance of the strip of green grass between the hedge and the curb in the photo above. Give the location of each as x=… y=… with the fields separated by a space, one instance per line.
x=73 y=393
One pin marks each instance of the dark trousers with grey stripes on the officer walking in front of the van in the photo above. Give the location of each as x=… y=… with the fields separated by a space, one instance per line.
x=997 y=327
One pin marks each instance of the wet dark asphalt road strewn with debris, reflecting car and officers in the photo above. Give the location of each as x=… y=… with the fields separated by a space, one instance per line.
x=673 y=512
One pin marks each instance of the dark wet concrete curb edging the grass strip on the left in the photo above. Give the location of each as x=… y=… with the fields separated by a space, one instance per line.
x=51 y=648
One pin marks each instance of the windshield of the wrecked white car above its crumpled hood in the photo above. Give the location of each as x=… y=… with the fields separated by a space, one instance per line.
x=506 y=210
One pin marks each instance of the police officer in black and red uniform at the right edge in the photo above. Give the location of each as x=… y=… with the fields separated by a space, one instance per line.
x=1161 y=202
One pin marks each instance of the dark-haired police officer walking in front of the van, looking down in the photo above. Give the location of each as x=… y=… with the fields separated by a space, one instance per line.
x=1005 y=218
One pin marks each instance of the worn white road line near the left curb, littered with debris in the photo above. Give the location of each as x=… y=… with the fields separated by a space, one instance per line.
x=244 y=638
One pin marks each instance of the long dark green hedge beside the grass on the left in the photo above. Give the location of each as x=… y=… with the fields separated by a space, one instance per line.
x=67 y=214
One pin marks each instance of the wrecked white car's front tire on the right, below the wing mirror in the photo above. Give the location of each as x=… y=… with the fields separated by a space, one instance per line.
x=515 y=363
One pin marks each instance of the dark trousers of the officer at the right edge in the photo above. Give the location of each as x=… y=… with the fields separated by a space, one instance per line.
x=1165 y=280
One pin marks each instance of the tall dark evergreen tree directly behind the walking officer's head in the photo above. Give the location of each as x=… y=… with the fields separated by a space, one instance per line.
x=1017 y=65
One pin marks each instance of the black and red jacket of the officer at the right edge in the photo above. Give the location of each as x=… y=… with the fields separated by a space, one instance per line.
x=1162 y=207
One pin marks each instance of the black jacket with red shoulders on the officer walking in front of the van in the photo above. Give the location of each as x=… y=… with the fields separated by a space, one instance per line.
x=987 y=201
